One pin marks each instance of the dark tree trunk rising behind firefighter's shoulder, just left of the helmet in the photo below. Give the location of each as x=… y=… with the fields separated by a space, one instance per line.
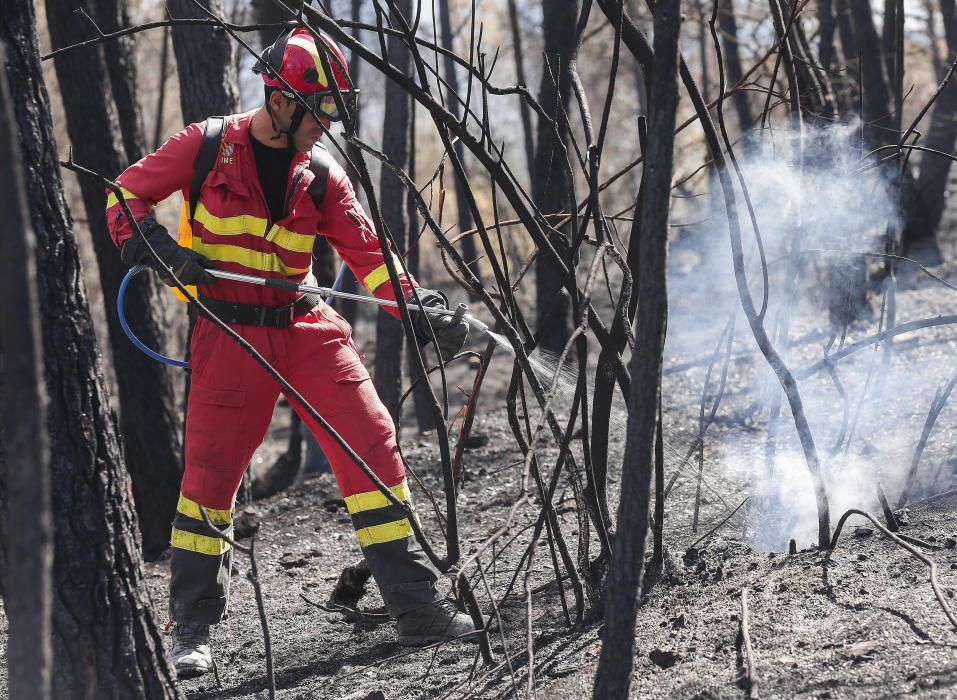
x=204 y=61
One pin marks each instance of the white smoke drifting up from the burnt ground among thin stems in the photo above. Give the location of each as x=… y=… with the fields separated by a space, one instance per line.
x=829 y=206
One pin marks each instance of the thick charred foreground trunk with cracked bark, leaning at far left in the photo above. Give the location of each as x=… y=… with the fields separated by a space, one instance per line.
x=106 y=643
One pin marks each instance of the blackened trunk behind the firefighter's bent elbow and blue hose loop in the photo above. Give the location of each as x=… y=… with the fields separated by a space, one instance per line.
x=149 y=417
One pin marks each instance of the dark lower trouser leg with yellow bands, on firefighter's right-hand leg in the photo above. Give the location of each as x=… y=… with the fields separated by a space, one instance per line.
x=405 y=576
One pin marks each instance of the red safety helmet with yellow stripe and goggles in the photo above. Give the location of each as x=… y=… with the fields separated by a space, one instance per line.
x=295 y=58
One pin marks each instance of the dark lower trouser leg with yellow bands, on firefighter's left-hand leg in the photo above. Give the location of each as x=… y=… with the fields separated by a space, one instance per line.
x=199 y=568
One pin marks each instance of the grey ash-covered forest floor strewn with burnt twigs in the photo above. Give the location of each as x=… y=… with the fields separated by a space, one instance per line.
x=863 y=623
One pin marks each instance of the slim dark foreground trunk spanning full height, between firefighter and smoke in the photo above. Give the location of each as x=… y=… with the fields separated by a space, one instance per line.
x=617 y=658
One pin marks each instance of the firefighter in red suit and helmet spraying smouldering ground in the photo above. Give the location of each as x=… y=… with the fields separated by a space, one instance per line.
x=256 y=214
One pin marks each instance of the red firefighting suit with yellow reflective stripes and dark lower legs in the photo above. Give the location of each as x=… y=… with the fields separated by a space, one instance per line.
x=231 y=397
